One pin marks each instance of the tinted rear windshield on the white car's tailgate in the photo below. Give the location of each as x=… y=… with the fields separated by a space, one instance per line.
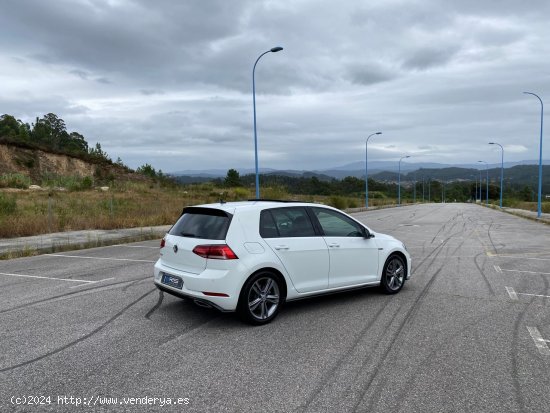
x=204 y=223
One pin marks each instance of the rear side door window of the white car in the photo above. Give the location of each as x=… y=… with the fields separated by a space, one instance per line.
x=286 y=222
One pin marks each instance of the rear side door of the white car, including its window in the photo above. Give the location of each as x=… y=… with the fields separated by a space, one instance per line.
x=289 y=232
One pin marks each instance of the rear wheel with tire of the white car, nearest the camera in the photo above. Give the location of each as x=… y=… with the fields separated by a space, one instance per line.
x=261 y=298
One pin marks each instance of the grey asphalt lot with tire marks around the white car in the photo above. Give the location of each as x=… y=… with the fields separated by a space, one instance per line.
x=470 y=332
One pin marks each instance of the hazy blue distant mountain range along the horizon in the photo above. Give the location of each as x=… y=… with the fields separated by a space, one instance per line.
x=381 y=170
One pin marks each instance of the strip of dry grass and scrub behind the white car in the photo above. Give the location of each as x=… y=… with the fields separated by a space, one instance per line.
x=26 y=212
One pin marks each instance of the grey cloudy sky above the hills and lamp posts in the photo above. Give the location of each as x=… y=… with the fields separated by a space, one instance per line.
x=169 y=82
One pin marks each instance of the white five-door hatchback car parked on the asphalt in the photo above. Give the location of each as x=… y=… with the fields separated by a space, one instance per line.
x=253 y=256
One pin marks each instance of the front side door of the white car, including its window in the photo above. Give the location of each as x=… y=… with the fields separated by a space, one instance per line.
x=353 y=258
